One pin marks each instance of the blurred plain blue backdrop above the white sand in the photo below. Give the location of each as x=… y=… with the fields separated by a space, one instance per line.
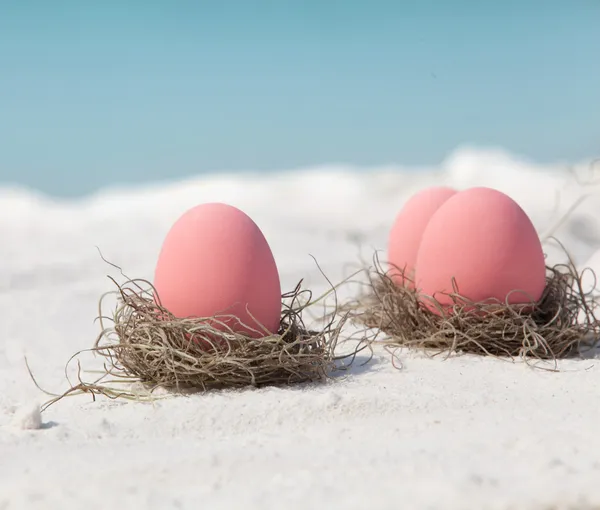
x=96 y=93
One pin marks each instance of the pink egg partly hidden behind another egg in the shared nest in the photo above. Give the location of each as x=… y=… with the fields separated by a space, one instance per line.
x=408 y=228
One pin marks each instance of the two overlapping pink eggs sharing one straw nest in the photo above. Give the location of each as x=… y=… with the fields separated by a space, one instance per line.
x=479 y=240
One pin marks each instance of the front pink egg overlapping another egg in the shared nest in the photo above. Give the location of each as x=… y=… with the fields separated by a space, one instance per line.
x=483 y=239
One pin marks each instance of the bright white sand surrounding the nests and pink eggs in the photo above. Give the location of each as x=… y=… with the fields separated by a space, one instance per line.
x=465 y=433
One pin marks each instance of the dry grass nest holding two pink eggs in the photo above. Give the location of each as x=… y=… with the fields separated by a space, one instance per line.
x=559 y=325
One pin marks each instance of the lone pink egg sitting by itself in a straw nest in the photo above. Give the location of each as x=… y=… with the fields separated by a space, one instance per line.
x=216 y=261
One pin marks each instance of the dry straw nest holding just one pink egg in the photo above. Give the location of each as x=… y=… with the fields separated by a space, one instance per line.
x=147 y=345
